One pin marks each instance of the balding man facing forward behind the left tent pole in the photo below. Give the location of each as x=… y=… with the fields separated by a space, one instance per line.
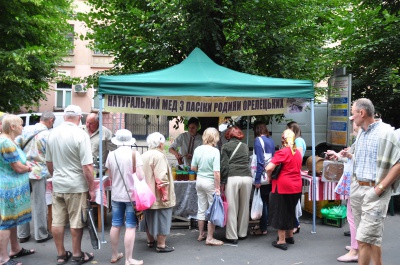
x=92 y=129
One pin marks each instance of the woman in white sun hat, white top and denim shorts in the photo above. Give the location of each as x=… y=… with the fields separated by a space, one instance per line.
x=121 y=163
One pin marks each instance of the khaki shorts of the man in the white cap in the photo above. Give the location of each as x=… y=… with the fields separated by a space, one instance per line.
x=69 y=207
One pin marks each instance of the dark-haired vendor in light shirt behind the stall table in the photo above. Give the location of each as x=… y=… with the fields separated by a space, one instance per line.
x=187 y=142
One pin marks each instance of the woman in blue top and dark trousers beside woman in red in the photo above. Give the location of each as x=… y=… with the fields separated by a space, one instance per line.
x=261 y=131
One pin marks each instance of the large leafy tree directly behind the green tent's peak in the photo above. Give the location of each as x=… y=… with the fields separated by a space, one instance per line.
x=280 y=38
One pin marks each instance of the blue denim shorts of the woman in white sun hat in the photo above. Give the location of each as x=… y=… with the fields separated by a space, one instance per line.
x=120 y=210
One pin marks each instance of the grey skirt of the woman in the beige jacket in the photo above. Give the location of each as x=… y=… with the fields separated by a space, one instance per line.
x=158 y=221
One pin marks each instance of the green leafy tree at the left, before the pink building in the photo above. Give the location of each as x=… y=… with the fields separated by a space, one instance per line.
x=33 y=43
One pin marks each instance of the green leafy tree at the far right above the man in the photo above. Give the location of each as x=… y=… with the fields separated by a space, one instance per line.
x=370 y=49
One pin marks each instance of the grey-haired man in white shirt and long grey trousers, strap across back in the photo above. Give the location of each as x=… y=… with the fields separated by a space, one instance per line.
x=33 y=141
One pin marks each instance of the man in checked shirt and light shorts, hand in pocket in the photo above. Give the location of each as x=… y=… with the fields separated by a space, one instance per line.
x=375 y=175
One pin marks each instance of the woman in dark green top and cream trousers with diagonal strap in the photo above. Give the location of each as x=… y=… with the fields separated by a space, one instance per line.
x=237 y=183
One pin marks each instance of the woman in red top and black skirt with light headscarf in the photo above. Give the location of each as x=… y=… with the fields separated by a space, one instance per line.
x=286 y=189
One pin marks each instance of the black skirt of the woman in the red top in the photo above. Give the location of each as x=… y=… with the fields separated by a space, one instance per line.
x=283 y=210
